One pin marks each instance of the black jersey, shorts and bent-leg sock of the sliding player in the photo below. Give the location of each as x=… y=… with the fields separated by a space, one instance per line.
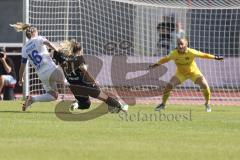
x=81 y=86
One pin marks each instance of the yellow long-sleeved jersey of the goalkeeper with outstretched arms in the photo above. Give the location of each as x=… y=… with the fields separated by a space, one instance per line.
x=185 y=61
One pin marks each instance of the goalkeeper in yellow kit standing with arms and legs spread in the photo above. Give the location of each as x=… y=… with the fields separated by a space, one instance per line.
x=186 y=69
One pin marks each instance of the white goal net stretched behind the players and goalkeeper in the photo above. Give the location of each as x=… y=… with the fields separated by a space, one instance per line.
x=122 y=37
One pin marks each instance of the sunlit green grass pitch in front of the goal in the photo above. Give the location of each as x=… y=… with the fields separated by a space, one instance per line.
x=180 y=135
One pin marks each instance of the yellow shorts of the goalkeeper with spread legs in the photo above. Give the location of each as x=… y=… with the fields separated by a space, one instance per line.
x=193 y=76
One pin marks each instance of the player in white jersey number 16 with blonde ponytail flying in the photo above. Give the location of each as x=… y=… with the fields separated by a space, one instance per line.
x=35 y=50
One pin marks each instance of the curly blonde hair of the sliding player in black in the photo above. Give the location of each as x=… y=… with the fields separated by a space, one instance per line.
x=69 y=47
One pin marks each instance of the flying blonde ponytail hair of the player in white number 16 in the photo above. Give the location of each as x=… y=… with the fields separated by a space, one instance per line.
x=20 y=27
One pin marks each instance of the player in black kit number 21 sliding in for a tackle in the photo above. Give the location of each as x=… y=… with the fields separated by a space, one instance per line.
x=82 y=83
